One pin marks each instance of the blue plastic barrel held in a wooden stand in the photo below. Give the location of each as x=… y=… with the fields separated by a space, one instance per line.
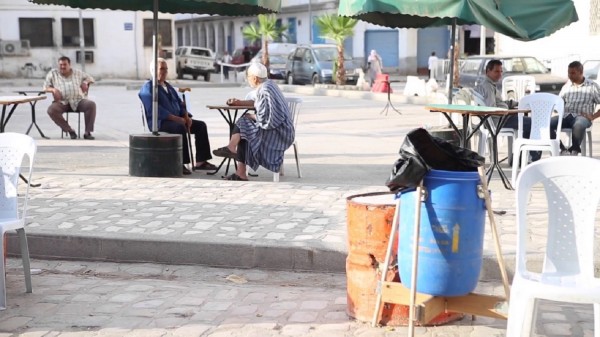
x=451 y=234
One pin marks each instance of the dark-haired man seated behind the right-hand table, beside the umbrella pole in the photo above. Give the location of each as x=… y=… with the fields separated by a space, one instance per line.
x=486 y=87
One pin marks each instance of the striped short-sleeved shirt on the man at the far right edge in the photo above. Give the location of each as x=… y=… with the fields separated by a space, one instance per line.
x=580 y=98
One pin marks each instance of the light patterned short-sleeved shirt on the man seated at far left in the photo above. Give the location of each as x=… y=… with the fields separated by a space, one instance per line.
x=69 y=86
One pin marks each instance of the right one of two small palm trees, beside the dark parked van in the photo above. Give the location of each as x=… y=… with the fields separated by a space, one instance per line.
x=337 y=28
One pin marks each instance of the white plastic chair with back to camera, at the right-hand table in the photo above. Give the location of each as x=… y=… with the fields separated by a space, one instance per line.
x=541 y=105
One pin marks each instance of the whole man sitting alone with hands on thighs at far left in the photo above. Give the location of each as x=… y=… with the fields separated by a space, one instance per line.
x=69 y=88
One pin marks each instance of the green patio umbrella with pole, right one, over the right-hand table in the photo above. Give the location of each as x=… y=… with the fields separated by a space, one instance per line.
x=520 y=19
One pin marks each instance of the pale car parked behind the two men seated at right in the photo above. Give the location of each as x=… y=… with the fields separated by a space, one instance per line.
x=473 y=68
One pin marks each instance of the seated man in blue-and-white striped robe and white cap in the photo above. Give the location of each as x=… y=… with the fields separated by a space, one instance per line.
x=261 y=138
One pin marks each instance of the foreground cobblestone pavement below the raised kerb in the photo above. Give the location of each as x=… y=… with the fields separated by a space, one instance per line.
x=116 y=299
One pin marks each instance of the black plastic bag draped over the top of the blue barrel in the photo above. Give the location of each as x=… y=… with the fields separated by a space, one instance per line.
x=421 y=152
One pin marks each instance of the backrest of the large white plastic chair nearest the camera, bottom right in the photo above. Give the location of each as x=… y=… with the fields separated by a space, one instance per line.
x=572 y=189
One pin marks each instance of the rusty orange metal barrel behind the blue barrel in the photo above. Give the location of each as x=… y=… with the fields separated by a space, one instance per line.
x=369 y=223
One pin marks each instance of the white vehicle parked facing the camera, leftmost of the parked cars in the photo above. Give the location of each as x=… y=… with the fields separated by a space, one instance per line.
x=194 y=61
